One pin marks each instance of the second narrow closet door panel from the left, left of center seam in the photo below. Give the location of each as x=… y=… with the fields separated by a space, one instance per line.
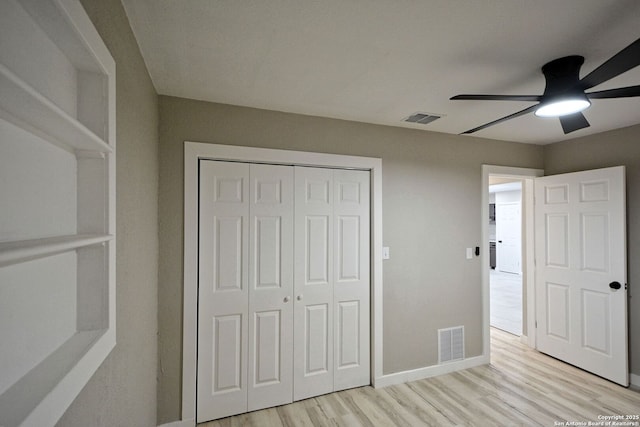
x=270 y=381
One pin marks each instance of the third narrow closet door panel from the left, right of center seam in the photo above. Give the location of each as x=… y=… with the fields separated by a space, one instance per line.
x=313 y=275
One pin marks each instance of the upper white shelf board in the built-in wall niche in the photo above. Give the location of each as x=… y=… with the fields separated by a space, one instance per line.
x=27 y=108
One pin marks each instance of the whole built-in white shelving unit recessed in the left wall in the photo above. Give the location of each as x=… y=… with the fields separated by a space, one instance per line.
x=57 y=222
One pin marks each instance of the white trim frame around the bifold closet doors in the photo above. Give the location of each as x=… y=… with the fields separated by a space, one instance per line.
x=193 y=153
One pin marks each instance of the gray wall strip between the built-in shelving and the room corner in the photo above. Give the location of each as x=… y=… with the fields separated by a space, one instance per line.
x=123 y=390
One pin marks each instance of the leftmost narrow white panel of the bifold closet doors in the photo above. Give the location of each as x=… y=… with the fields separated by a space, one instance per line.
x=223 y=289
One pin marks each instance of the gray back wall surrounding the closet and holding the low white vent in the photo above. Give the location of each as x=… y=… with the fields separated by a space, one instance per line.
x=431 y=213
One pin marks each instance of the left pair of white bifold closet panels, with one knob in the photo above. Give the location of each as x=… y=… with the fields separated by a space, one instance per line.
x=245 y=285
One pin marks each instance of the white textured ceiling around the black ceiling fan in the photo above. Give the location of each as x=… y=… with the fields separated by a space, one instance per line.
x=380 y=61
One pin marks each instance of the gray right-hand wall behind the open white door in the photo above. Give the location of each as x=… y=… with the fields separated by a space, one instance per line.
x=614 y=148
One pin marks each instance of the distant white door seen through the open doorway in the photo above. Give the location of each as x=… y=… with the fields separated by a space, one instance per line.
x=508 y=235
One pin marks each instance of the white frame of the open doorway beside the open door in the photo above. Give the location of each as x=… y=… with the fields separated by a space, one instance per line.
x=527 y=176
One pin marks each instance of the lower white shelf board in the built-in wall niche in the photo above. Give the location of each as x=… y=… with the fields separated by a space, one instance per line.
x=26 y=250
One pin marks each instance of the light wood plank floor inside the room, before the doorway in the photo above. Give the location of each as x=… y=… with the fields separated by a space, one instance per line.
x=521 y=387
